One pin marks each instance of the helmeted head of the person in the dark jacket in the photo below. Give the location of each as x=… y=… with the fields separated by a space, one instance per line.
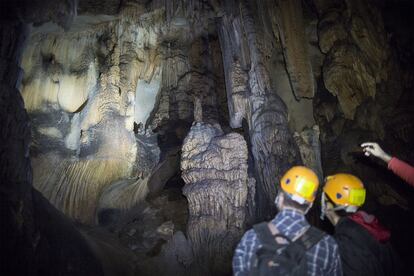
x=342 y=194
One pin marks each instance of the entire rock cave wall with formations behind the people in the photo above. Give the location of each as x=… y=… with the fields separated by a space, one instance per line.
x=145 y=137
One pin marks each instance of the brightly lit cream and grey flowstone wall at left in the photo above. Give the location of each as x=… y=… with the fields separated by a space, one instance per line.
x=97 y=93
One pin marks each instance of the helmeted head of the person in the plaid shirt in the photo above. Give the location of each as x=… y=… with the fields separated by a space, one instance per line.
x=298 y=189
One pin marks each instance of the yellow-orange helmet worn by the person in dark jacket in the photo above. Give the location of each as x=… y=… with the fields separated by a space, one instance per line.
x=345 y=189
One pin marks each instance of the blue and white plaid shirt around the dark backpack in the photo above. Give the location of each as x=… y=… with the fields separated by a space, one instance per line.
x=323 y=258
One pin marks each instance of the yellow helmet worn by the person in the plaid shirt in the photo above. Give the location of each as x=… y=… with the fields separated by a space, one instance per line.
x=301 y=183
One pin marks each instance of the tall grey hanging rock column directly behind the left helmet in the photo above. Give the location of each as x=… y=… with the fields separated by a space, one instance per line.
x=255 y=100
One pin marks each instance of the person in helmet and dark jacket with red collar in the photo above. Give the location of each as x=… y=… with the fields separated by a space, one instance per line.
x=362 y=240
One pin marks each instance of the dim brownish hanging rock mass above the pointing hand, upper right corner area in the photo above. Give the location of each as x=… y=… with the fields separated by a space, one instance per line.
x=356 y=53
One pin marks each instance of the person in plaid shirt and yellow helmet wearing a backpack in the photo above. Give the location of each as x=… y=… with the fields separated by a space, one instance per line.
x=298 y=189
